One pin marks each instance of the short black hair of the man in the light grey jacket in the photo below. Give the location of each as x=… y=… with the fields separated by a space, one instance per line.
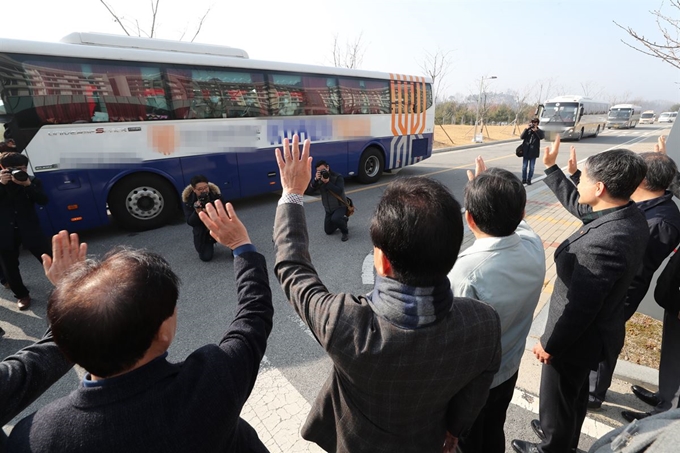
x=496 y=200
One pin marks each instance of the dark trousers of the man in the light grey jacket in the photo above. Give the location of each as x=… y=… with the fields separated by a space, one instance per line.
x=486 y=434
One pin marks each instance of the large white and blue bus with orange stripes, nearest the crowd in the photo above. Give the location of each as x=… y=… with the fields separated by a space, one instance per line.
x=117 y=126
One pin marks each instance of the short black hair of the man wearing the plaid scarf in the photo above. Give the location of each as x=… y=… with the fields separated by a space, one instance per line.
x=418 y=226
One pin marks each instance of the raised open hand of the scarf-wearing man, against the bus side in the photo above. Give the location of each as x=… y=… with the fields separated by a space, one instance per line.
x=295 y=167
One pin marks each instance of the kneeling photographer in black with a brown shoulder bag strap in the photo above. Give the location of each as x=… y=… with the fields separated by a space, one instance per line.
x=331 y=186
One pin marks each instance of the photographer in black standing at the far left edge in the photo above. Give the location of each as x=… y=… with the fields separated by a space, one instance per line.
x=19 y=224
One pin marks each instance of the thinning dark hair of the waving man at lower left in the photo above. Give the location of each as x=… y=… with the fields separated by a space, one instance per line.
x=105 y=314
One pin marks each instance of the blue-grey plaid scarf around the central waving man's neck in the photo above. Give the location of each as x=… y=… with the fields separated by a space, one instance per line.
x=410 y=307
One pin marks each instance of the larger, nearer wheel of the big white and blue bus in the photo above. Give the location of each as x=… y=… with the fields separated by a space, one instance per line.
x=142 y=202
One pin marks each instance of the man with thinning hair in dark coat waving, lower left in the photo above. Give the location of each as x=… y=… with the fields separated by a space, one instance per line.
x=132 y=398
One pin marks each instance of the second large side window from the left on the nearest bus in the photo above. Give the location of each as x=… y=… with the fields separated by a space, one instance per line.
x=200 y=93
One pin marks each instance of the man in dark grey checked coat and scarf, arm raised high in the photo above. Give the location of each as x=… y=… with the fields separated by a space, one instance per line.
x=411 y=362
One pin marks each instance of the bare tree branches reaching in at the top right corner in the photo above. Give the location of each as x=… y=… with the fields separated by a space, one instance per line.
x=668 y=49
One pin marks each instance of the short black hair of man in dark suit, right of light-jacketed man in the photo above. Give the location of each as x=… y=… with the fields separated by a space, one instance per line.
x=620 y=170
